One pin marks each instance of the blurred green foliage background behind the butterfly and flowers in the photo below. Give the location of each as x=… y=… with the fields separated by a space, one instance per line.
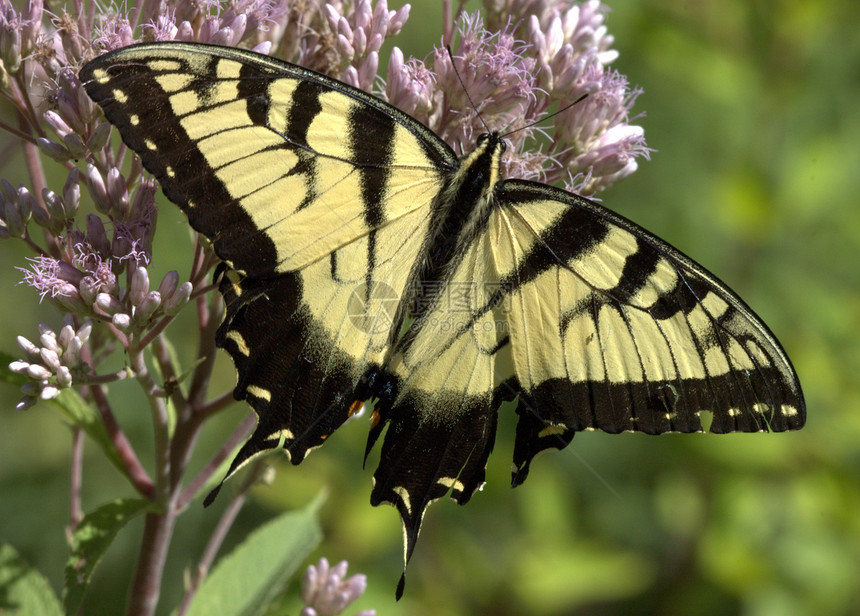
x=752 y=108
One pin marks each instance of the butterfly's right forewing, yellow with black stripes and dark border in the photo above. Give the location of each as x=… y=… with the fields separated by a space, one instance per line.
x=633 y=335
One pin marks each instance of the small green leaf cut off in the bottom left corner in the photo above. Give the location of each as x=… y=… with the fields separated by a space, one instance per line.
x=23 y=590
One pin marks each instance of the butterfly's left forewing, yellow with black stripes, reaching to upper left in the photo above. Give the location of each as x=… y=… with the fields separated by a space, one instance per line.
x=229 y=133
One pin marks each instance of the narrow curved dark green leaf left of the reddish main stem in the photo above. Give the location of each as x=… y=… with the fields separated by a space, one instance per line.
x=91 y=539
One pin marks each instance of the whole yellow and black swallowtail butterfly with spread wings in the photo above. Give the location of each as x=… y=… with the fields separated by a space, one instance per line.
x=363 y=260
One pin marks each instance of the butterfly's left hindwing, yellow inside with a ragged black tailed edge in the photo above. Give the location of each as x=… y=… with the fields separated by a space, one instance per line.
x=301 y=340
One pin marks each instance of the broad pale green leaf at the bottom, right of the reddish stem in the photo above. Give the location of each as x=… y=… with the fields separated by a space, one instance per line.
x=247 y=579
